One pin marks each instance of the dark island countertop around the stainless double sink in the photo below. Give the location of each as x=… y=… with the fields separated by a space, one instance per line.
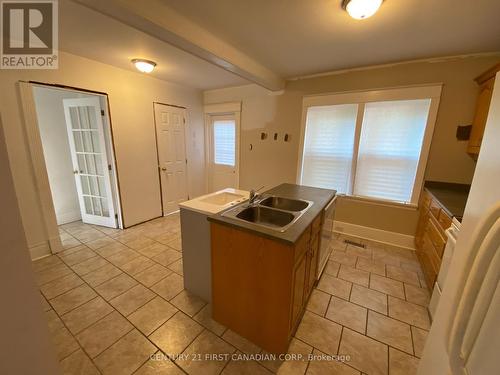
x=320 y=197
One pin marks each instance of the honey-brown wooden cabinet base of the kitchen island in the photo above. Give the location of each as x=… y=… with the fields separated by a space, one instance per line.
x=260 y=286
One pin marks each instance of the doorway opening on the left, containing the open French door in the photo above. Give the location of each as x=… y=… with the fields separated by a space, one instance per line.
x=76 y=138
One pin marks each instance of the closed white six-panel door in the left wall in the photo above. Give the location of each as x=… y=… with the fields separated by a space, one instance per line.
x=170 y=136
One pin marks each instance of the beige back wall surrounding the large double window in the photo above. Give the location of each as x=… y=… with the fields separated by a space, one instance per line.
x=273 y=162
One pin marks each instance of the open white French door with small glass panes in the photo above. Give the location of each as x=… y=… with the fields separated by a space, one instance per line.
x=90 y=161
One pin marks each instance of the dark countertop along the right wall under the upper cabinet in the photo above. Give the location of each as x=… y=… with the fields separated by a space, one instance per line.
x=453 y=197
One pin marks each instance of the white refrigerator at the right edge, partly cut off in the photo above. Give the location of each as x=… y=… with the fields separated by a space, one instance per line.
x=465 y=334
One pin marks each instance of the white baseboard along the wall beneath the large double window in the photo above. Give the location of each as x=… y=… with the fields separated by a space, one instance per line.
x=377 y=235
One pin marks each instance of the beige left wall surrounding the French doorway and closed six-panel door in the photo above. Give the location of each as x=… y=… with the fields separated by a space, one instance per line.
x=131 y=97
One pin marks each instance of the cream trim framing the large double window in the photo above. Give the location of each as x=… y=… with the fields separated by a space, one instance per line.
x=432 y=91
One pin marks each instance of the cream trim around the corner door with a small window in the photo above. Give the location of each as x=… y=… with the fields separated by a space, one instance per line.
x=221 y=109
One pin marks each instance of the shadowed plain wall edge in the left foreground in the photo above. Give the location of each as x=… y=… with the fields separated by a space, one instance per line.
x=25 y=346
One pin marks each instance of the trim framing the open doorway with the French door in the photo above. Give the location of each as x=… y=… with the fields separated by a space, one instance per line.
x=37 y=159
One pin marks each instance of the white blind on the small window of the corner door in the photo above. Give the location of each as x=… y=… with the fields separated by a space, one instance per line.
x=224 y=142
